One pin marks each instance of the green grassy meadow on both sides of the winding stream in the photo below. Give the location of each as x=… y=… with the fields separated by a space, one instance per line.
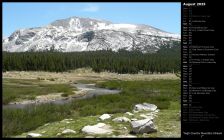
x=163 y=93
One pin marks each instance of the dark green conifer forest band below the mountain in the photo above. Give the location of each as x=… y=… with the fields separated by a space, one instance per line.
x=165 y=60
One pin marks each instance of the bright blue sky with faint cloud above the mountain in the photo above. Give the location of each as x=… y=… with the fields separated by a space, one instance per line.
x=165 y=16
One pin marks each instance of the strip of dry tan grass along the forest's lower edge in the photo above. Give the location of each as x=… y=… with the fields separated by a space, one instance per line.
x=83 y=74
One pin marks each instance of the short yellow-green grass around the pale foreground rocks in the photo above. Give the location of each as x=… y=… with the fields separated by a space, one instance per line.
x=167 y=124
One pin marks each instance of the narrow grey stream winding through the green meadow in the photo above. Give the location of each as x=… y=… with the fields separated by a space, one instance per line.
x=90 y=89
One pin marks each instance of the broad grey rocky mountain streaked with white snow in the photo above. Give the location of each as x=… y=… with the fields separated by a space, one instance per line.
x=85 y=34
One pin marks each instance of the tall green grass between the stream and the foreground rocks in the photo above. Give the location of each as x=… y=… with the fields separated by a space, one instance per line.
x=163 y=93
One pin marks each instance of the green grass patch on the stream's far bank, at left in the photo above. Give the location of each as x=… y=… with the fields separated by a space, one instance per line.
x=15 y=89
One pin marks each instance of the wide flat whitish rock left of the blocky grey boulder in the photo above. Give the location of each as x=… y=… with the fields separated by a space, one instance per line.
x=99 y=128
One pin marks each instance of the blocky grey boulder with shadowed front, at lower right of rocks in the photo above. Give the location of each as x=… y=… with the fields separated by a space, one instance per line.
x=142 y=126
